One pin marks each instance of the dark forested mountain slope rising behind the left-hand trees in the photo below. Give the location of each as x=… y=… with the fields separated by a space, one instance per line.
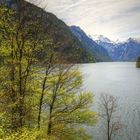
x=67 y=44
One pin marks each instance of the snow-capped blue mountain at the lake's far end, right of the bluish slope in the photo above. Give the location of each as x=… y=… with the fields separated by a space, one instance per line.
x=128 y=50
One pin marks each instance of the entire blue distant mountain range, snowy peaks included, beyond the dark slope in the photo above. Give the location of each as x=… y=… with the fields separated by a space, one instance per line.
x=106 y=50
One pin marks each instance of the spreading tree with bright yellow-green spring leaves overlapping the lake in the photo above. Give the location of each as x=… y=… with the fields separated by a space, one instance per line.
x=67 y=106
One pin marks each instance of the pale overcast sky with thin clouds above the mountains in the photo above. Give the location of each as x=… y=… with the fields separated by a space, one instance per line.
x=115 y=19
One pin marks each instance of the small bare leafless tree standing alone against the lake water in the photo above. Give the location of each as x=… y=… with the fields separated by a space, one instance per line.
x=108 y=112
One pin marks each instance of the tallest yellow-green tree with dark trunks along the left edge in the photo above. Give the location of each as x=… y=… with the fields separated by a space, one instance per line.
x=20 y=44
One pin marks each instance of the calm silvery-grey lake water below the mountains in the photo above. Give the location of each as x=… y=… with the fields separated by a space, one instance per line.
x=122 y=80
